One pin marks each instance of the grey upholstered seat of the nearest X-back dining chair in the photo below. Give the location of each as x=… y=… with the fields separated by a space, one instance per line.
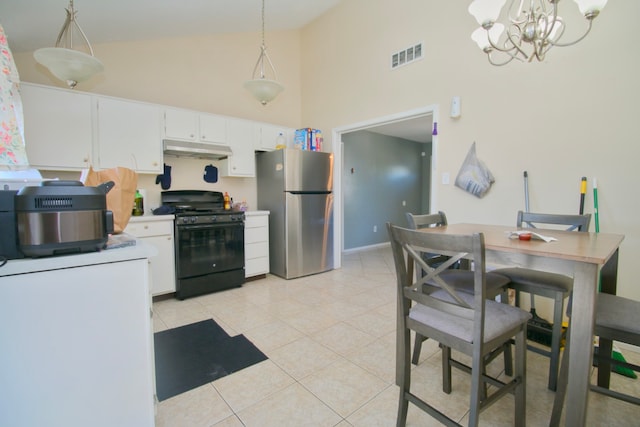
x=499 y=318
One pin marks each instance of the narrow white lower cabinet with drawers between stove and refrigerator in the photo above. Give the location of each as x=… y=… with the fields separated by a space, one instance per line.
x=256 y=243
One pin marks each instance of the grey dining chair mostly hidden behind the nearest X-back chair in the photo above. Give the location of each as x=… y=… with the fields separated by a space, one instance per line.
x=462 y=280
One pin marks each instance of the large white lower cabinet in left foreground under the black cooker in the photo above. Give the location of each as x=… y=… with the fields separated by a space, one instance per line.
x=77 y=344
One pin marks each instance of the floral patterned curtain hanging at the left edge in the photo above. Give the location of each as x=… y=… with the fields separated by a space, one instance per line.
x=12 y=150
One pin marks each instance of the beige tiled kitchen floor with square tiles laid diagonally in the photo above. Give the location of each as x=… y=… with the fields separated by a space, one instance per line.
x=330 y=339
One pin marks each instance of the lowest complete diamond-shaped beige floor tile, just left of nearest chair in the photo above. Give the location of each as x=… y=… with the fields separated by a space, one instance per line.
x=343 y=386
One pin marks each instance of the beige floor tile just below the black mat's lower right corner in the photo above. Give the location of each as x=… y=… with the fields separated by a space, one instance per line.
x=250 y=385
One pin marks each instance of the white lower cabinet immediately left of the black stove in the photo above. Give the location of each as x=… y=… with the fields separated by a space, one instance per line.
x=159 y=233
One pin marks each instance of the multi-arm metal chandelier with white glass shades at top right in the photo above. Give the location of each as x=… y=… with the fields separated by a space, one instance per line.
x=533 y=28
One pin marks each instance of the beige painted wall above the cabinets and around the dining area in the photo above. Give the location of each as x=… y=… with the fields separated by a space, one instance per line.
x=568 y=117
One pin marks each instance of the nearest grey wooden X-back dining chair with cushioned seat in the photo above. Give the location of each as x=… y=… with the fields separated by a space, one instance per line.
x=472 y=324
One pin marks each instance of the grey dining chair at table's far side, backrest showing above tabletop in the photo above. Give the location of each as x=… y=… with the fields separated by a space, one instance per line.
x=542 y=283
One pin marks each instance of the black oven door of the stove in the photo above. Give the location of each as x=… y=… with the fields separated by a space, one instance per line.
x=210 y=248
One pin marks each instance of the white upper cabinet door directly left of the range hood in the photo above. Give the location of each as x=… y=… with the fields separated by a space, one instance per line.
x=129 y=135
